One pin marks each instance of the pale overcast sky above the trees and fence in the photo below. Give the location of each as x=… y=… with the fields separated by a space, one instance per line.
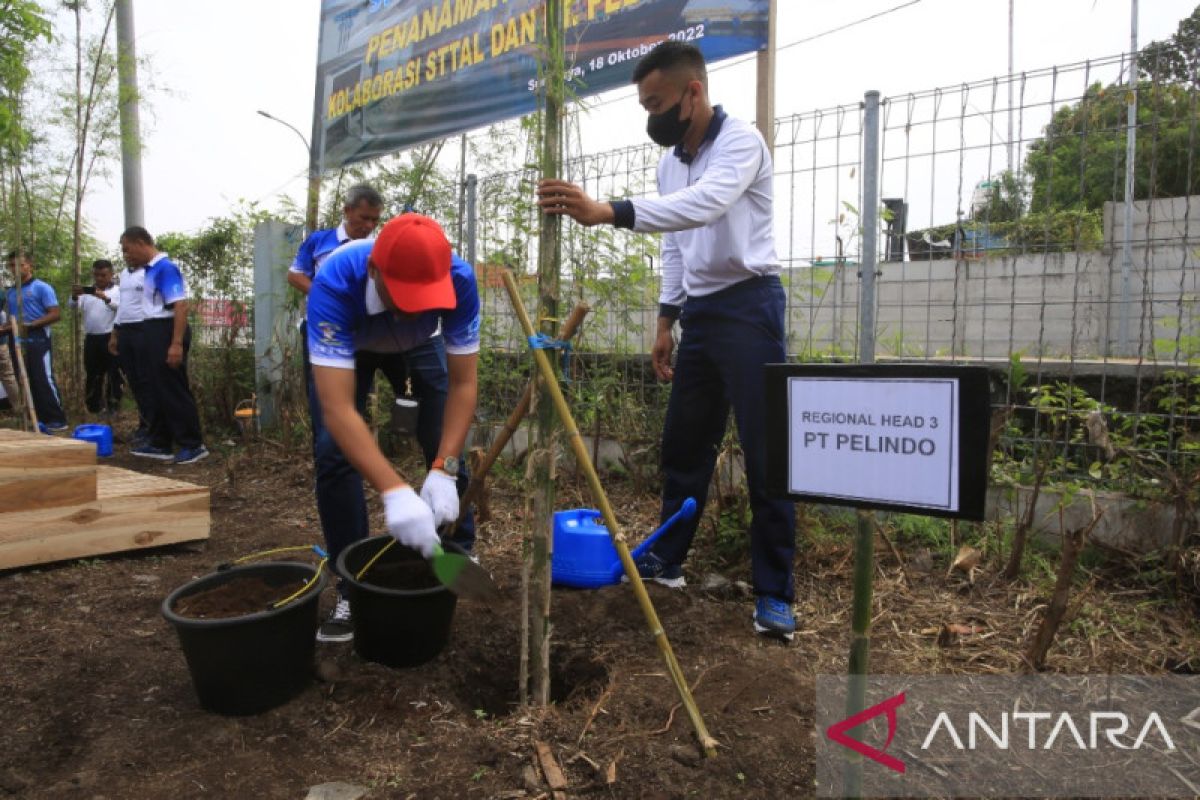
x=221 y=61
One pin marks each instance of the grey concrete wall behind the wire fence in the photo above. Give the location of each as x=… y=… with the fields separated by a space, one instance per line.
x=1055 y=305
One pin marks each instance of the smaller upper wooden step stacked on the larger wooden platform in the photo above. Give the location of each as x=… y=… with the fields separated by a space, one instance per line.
x=40 y=472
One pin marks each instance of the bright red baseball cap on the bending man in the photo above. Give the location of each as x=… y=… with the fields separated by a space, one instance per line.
x=413 y=256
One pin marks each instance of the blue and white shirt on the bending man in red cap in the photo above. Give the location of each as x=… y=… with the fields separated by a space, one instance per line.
x=346 y=315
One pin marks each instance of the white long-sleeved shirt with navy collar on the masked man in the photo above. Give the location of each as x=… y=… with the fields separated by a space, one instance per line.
x=717 y=214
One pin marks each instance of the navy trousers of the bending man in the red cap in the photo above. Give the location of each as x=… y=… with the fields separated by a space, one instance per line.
x=341 y=501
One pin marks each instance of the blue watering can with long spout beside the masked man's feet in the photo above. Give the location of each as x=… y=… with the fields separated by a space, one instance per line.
x=585 y=556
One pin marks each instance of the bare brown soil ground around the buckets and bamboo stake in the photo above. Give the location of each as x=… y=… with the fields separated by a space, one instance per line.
x=98 y=700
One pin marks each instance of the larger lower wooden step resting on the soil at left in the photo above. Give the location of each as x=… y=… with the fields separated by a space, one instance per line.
x=131 y=512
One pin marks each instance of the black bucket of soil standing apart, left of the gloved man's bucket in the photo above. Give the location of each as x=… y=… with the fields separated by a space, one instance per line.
x=247 y=665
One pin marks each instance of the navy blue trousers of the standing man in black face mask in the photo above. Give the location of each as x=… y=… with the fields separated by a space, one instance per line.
x=727 y=340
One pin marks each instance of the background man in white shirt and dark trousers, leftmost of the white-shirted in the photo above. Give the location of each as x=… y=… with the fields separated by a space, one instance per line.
x=98 y=305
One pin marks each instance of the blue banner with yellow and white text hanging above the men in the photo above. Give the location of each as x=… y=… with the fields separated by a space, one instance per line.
x=394 y=74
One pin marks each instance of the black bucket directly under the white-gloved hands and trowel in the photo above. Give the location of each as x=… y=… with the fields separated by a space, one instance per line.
x=398 y=628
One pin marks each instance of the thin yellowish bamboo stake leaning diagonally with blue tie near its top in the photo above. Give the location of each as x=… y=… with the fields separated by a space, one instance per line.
x=619 y=537
